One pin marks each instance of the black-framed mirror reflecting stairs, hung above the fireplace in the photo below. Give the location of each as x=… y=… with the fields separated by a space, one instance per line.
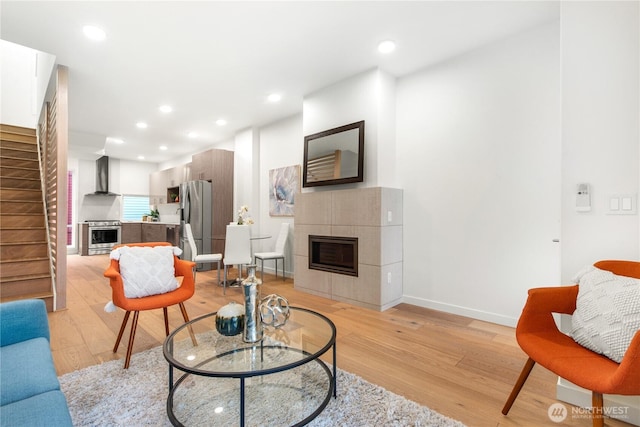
x=334 y=156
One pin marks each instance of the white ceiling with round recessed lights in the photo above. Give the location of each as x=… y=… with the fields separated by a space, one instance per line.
x=214 y=59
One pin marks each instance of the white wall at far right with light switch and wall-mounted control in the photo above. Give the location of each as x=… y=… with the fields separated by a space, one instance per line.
x=601 y=144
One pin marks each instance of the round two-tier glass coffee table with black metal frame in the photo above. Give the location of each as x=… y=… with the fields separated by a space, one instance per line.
x=279 y=380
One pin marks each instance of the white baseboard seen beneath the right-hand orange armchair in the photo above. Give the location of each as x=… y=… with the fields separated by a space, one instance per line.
x=624 y=408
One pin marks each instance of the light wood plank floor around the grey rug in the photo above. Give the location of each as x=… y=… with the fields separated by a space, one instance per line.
x=460 y=367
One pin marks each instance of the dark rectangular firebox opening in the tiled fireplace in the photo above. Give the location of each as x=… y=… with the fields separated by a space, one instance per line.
x=334 y=254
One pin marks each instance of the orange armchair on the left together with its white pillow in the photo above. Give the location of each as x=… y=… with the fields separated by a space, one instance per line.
x=127 y=273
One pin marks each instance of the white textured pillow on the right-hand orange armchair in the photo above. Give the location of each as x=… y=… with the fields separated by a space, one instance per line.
x=607 y=314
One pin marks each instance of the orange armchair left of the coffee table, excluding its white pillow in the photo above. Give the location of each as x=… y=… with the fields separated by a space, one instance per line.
x=185 y=291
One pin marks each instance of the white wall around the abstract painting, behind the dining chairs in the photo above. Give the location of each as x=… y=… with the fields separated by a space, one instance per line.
x=281 y=144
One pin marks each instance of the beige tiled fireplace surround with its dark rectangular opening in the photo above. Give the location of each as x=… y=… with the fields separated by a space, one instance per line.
x=348 y=245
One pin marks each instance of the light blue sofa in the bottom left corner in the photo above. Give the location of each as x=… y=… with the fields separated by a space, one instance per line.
x=30 y=393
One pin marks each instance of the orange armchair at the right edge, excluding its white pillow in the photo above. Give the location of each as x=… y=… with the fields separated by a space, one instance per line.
x=539 y=337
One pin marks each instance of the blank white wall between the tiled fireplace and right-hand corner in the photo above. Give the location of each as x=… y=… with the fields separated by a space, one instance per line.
x=478 y=151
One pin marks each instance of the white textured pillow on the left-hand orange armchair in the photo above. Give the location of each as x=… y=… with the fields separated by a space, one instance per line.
x=147 y=270
